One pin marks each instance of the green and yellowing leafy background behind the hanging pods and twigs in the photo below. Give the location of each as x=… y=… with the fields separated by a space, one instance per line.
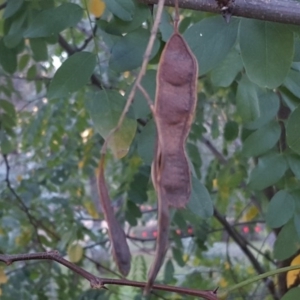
x=64 y=79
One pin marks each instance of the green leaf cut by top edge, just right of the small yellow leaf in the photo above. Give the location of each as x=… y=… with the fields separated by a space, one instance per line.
x=123 y=9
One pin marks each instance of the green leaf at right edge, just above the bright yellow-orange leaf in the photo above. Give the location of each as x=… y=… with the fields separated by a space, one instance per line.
x=287 y=242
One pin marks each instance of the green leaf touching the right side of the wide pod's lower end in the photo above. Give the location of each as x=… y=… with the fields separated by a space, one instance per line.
x=200 y=202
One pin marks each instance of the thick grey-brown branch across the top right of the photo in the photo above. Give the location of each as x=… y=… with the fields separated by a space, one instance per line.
x=282 y=11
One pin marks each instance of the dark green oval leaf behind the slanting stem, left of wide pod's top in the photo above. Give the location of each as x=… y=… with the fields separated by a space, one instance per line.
x=127 y=53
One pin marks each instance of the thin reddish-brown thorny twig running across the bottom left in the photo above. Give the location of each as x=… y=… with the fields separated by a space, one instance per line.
x=99 y=283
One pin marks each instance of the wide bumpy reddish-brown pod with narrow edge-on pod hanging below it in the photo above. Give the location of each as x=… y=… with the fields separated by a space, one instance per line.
x=175 y=104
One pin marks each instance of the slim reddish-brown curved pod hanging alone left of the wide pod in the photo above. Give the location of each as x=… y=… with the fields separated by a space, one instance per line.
x=120 y=249
